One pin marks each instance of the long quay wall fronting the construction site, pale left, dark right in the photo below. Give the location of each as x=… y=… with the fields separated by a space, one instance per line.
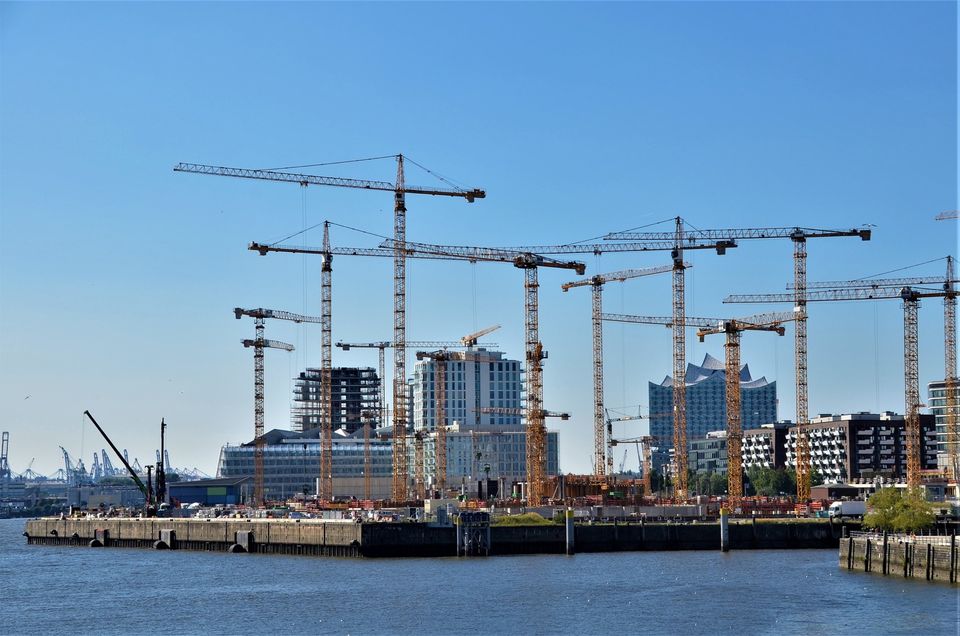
x=335 y=538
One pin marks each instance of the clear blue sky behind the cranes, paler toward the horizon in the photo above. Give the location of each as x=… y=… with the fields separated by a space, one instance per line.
x=118 y=276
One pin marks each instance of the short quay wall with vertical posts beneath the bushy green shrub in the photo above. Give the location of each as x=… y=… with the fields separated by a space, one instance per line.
x=926 y=558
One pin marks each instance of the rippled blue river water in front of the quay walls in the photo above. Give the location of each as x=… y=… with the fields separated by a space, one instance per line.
x=121 y=591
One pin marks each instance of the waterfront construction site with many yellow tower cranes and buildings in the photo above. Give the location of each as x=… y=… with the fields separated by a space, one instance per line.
x=401 y=451
